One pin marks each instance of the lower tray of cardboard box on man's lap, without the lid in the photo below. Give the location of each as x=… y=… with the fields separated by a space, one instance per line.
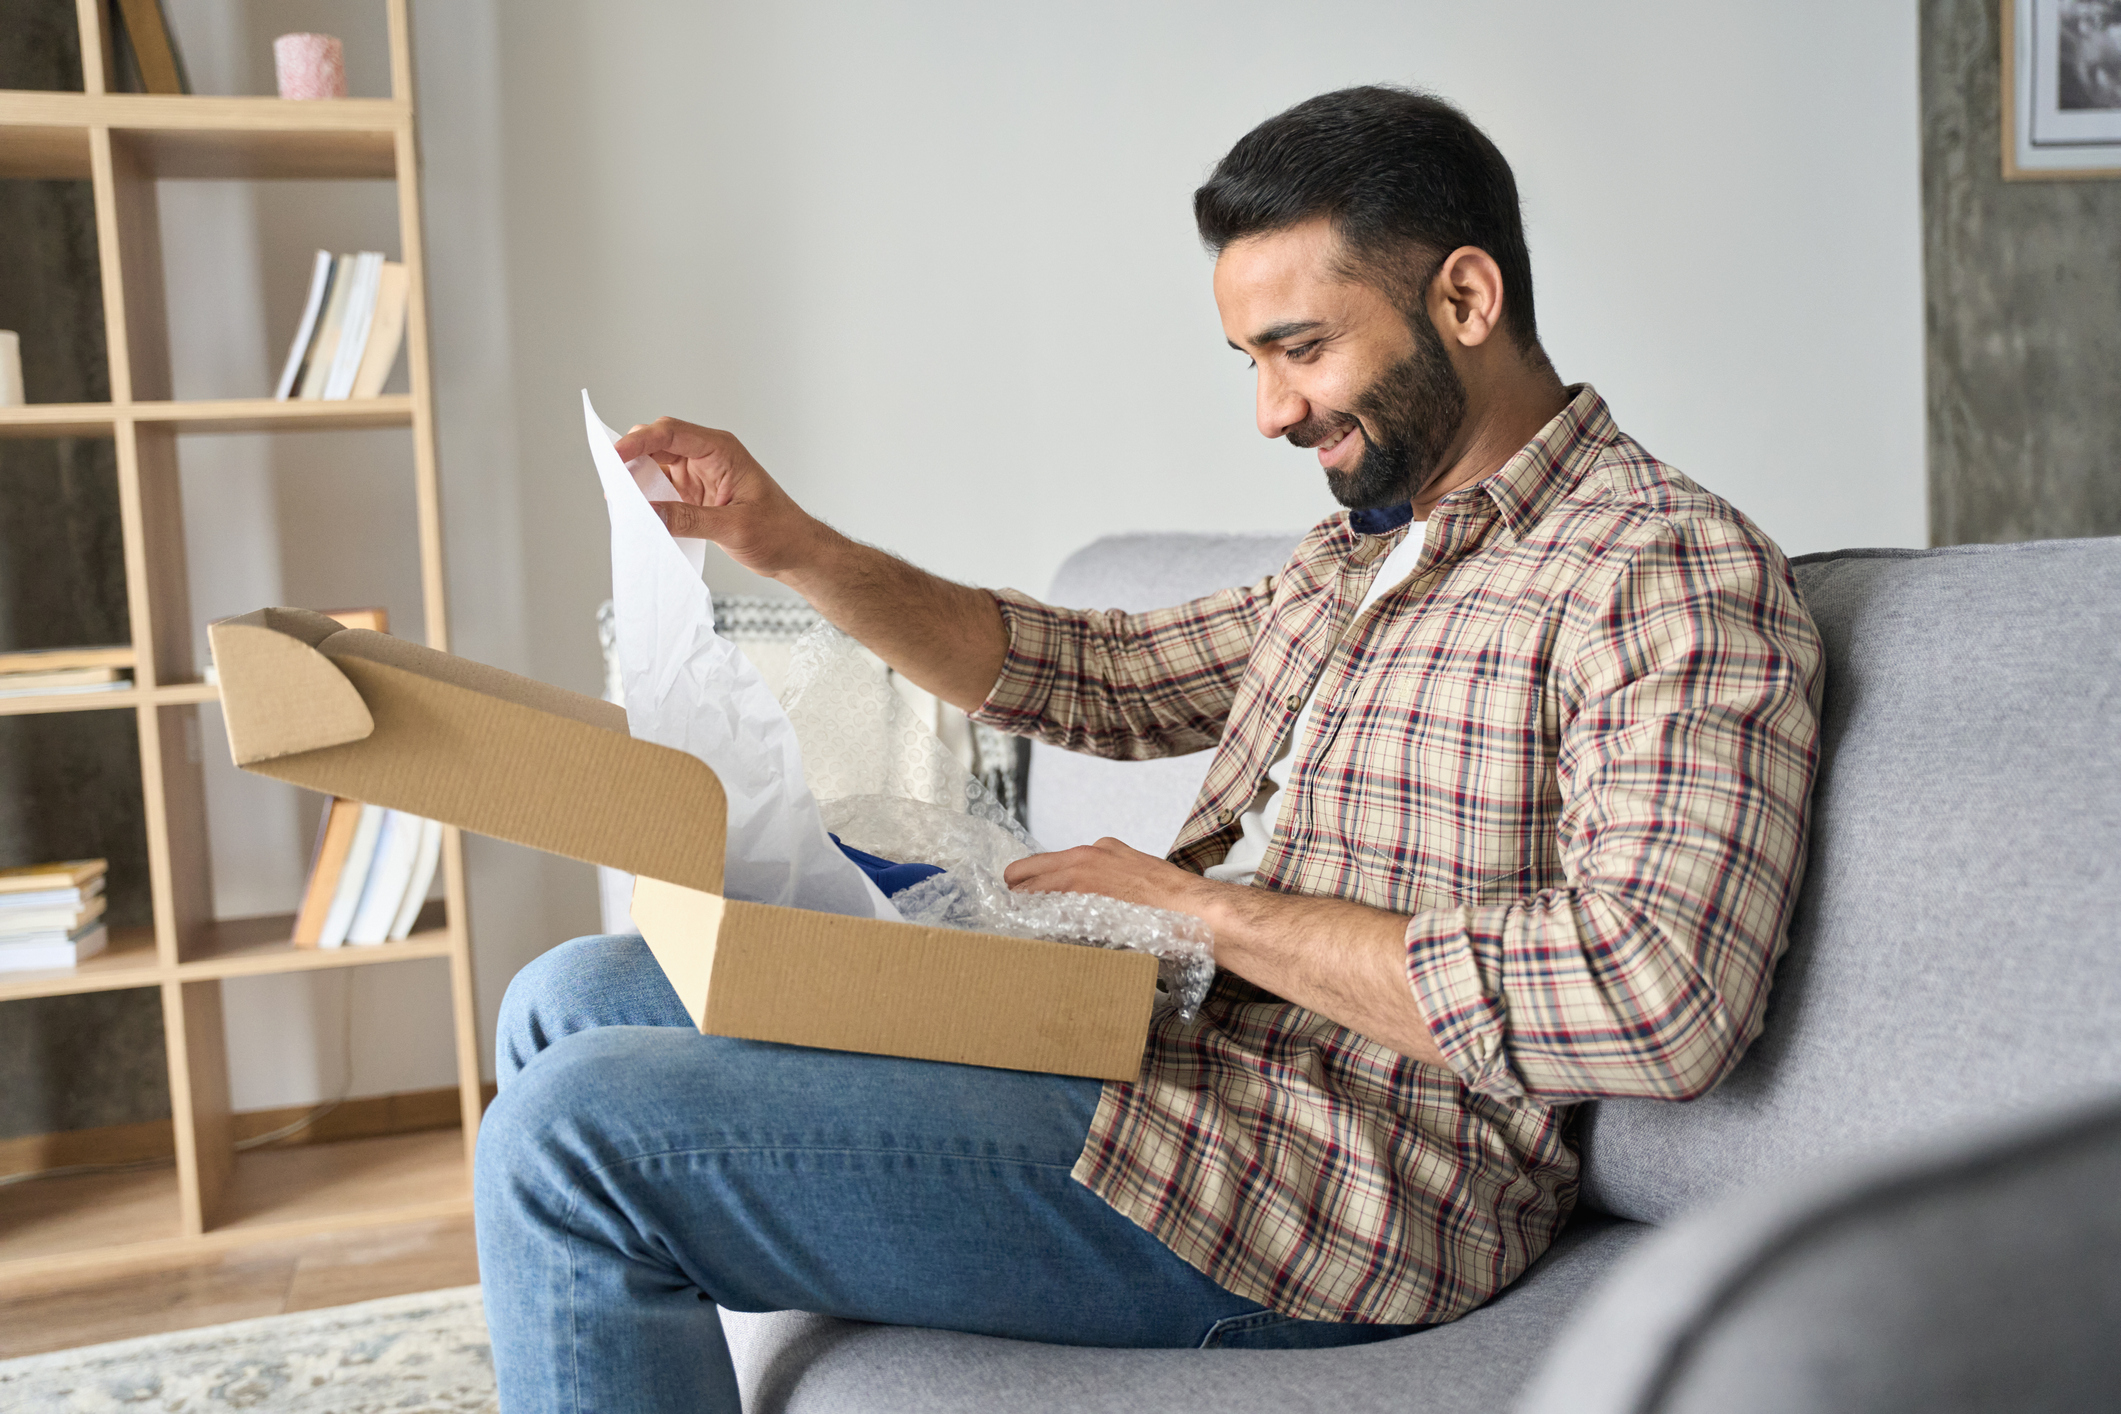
x=896 y=989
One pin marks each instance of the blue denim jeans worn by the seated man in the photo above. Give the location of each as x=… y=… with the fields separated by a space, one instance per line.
x=635 y=1176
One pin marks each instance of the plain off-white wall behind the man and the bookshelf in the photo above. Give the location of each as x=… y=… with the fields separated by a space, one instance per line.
x=936 y=266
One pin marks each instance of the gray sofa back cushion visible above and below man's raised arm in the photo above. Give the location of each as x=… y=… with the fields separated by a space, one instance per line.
x=1079 y=800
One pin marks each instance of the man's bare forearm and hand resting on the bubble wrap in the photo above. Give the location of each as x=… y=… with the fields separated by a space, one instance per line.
x=1339 y=959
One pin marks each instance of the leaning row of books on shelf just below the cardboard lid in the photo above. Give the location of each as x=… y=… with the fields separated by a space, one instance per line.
x=368 y=877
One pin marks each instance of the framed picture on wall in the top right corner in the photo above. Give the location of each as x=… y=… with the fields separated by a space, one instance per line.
x=2061 y=88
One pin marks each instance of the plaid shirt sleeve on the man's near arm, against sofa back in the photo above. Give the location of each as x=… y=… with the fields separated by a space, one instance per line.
x=1689 y=741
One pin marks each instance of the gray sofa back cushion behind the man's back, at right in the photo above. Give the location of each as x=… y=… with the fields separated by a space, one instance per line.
x=1955 y=949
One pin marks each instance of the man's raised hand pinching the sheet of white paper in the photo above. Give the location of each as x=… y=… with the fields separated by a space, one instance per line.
x=729 y=497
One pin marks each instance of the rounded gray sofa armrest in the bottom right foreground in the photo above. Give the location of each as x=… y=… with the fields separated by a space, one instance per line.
x=1982 y=1277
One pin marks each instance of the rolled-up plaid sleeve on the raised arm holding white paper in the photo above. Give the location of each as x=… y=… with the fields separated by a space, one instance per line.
x=1129 y=686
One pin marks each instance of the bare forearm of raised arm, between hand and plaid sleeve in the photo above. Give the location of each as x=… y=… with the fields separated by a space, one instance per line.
x=945 y=637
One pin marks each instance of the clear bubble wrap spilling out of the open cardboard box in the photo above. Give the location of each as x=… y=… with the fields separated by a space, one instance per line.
x=970 y=891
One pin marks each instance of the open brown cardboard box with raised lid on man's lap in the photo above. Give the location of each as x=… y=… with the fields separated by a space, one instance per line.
x=391 y=724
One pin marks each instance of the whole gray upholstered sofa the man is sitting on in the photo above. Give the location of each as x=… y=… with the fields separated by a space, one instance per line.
x=1908 y=1197
